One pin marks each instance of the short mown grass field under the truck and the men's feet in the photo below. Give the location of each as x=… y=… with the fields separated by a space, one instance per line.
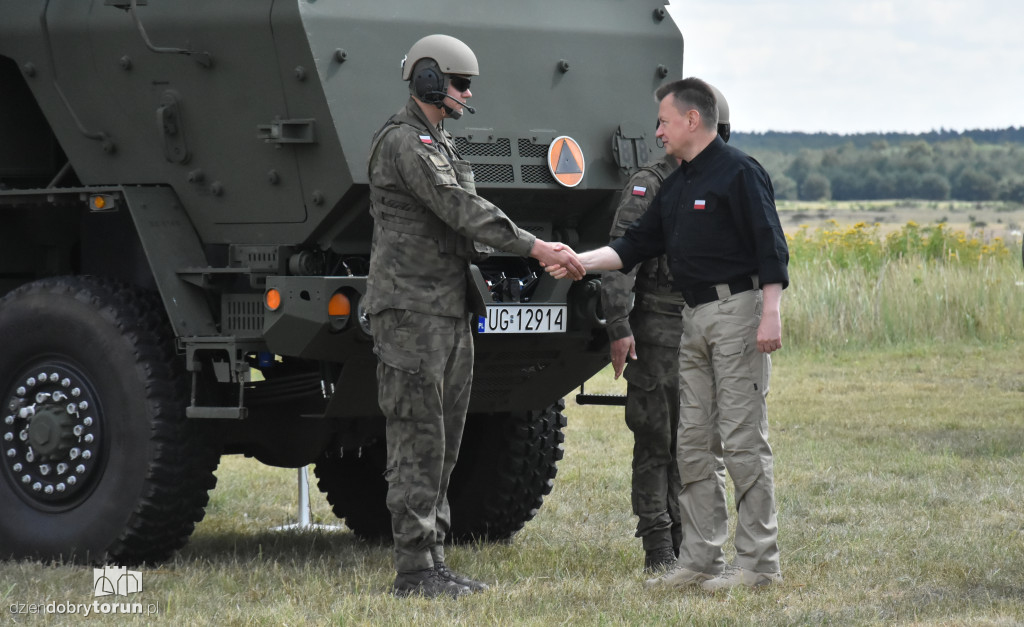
x=899 y=481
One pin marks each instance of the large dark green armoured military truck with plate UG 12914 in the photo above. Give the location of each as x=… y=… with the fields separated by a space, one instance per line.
x=185 y=235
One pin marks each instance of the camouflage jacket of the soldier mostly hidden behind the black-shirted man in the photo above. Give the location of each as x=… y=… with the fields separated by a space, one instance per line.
x=652 y=280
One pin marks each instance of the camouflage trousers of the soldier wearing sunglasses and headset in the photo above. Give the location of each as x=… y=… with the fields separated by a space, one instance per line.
x=424 y=374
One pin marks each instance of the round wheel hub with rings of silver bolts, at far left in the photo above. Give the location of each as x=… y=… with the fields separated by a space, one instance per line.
x=52 y=433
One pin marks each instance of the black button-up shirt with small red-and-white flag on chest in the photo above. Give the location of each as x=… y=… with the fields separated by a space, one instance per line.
x=716 y=220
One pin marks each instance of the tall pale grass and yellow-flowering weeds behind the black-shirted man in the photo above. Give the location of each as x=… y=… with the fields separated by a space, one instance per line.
x=854 y=287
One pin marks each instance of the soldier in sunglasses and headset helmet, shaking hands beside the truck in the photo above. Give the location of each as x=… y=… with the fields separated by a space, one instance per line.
x=419 y=299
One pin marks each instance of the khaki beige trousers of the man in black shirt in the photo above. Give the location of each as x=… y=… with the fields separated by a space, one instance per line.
x=722 y=409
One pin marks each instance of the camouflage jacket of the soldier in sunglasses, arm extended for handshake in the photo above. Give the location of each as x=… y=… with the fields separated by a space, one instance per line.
x=426 y=219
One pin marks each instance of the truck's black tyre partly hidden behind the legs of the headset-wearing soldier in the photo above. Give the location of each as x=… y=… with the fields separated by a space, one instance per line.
x=507 y=466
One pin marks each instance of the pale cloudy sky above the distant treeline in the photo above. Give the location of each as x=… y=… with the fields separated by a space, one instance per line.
x=856 y=67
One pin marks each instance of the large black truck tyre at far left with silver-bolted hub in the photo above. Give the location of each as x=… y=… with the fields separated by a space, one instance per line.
x=99 y=463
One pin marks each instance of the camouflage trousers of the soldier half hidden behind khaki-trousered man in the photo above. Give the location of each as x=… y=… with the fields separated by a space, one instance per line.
x=653 y=415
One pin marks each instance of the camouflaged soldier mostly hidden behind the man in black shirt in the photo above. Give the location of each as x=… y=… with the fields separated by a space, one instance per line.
x=650 y=336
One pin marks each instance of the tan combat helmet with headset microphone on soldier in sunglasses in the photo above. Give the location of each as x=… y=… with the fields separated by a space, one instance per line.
x=432 y=63
